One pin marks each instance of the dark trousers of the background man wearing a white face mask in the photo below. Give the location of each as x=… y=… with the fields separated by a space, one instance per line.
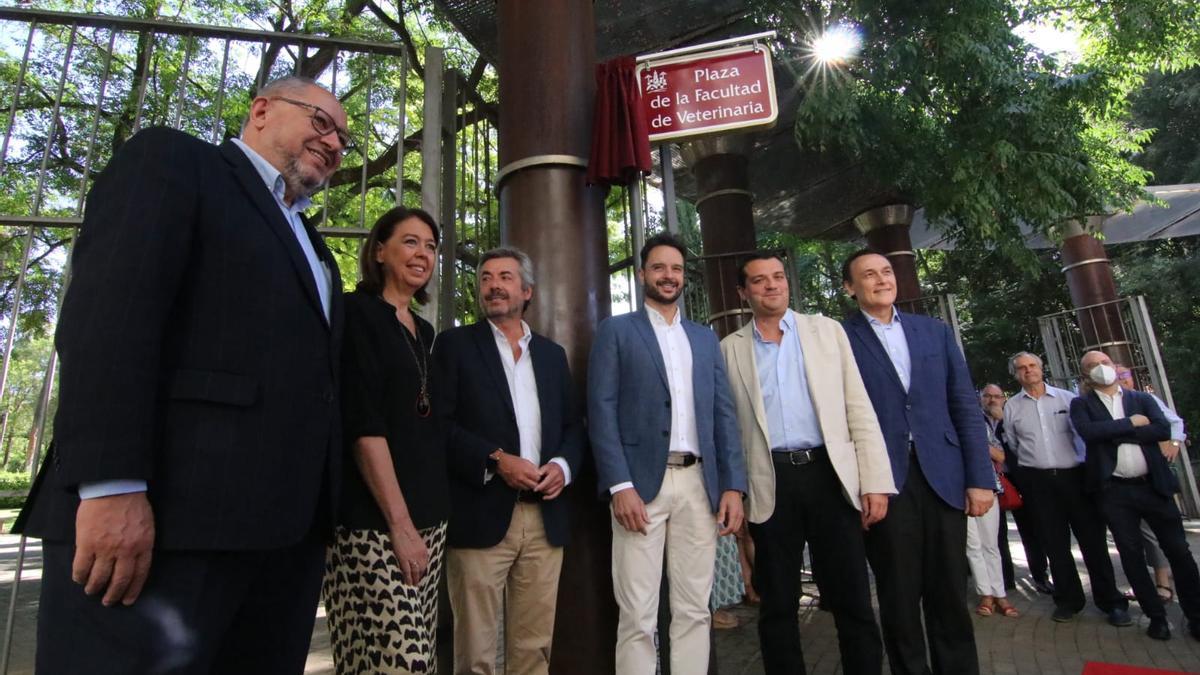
x=1125 y=506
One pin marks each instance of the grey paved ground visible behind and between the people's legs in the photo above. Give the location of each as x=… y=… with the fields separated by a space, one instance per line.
x=1031 y=644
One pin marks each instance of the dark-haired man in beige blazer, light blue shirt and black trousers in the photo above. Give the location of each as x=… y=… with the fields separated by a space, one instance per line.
x=818 y=468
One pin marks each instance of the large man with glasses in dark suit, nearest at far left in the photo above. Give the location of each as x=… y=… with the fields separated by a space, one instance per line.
x=190 y=487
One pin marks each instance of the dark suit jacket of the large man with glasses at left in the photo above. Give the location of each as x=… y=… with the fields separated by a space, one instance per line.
x=196 y=356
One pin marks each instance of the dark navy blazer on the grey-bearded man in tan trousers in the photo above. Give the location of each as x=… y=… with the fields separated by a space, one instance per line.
x=473 y=398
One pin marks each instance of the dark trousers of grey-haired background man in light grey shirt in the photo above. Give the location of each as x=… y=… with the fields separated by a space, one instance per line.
x=1058 y=503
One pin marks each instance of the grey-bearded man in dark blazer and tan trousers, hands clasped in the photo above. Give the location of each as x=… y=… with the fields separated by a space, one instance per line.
x=515 y=443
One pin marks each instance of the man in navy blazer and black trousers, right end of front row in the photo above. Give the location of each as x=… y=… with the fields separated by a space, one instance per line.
x=922 y=392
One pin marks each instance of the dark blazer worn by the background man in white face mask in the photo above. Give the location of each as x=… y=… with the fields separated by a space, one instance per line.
x=1102 y=434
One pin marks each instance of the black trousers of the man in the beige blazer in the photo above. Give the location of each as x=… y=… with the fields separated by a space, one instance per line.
x=811 y=507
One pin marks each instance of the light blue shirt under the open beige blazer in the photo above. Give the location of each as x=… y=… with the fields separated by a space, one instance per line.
x=791 y=419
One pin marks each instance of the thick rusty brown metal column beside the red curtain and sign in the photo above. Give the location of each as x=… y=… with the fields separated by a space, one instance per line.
x=548 y=86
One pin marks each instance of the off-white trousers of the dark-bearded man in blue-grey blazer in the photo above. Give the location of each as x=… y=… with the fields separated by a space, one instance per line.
x=682 y=522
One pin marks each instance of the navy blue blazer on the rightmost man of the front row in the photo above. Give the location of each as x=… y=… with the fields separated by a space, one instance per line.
x=940 y=408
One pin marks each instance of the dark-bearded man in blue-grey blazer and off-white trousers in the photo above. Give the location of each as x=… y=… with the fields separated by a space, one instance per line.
x=665 y=440
